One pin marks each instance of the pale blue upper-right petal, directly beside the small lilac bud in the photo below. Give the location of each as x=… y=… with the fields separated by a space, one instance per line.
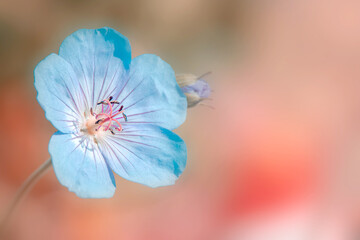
x=151 y=94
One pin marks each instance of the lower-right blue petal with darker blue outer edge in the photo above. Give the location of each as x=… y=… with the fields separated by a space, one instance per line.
x=146 y=154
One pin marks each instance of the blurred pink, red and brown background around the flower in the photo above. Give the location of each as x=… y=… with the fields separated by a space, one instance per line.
x=278 y=157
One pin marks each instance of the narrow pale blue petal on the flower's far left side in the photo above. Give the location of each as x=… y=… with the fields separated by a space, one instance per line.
x=55 y=82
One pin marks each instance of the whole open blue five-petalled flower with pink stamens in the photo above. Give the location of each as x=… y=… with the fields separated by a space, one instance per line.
x=112 y=113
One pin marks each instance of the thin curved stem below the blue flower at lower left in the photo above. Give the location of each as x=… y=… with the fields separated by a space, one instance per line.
x=25 y=187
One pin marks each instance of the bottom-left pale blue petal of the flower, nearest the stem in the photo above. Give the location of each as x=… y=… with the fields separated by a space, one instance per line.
x=80 y=166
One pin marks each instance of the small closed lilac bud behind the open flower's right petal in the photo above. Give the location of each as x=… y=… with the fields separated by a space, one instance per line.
x=195 y=88
